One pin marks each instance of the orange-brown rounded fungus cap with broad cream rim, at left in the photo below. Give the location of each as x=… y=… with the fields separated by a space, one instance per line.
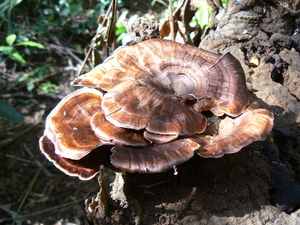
x=68 y=124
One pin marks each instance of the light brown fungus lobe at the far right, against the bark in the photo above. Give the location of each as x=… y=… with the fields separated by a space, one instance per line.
x=236 y=133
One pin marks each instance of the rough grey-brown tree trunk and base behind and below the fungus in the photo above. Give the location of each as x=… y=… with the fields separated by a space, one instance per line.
x=246 y=187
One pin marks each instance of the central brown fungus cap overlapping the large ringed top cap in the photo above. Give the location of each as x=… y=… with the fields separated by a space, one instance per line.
x=138 y=105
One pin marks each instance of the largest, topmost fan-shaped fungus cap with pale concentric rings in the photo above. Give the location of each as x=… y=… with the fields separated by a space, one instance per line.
x=179 y=69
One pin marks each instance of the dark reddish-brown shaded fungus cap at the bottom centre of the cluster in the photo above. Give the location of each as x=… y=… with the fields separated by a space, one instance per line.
x=155 y=158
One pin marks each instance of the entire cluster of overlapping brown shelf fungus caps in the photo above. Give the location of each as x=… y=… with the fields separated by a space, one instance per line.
x=151 y=106
